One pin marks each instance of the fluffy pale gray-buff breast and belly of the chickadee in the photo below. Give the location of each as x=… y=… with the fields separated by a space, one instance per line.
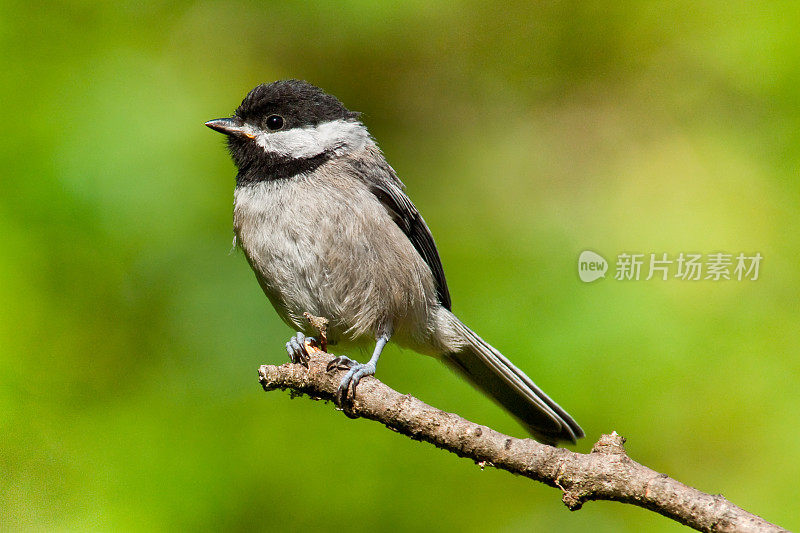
x=349 y=263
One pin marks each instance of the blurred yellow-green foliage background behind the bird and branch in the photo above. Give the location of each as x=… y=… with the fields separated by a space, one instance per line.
x=130 y=335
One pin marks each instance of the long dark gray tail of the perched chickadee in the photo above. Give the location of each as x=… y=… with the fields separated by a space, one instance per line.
x=491 y=372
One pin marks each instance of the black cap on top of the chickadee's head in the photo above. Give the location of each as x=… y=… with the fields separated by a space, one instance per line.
x=298 y=102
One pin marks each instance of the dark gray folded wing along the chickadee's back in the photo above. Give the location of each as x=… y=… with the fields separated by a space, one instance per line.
x=387 y=188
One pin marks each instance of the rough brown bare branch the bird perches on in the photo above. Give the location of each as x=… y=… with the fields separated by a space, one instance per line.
x=607 y=473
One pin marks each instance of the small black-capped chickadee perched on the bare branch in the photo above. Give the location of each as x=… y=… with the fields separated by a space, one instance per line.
x=327 y=228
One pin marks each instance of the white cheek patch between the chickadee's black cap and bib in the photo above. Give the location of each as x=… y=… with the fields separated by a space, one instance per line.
x=337 y=136
